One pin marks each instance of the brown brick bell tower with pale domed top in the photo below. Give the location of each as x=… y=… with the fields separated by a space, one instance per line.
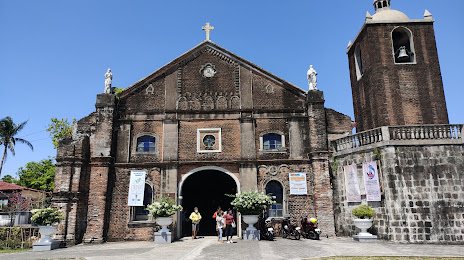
x=394 y=71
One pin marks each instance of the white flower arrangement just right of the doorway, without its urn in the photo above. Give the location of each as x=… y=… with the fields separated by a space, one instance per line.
x=252 y=202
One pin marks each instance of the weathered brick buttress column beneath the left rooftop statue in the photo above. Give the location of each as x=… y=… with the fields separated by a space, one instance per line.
x=101 y=162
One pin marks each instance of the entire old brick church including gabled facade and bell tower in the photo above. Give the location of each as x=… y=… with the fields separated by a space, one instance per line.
x=211 y=123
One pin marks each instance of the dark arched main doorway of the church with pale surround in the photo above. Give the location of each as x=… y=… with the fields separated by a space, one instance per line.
x=205 y=188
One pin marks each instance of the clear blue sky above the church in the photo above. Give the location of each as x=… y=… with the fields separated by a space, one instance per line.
x=53 y=54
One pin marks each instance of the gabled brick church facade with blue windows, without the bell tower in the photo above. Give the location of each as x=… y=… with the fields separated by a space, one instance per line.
x=208 y=112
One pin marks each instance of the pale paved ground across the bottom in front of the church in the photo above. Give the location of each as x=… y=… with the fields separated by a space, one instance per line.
x=208 y=248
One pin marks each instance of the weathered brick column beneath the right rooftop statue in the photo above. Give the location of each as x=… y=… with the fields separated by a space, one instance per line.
x=319 y=155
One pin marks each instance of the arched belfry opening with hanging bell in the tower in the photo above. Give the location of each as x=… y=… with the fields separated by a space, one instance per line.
x=403 y=47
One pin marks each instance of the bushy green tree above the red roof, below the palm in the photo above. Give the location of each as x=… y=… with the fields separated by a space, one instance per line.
x=38 y=175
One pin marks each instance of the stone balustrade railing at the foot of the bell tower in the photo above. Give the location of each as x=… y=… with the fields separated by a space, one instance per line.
x=399 y=133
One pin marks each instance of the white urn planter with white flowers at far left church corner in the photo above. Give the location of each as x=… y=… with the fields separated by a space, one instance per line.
x=46 y=220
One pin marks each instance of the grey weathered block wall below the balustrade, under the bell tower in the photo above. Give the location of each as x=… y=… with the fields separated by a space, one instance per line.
x=422 y=193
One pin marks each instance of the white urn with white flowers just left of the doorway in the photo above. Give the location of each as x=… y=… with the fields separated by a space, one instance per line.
x=162 y=210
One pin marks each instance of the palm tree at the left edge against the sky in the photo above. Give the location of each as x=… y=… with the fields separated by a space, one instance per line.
x=8 y=130
